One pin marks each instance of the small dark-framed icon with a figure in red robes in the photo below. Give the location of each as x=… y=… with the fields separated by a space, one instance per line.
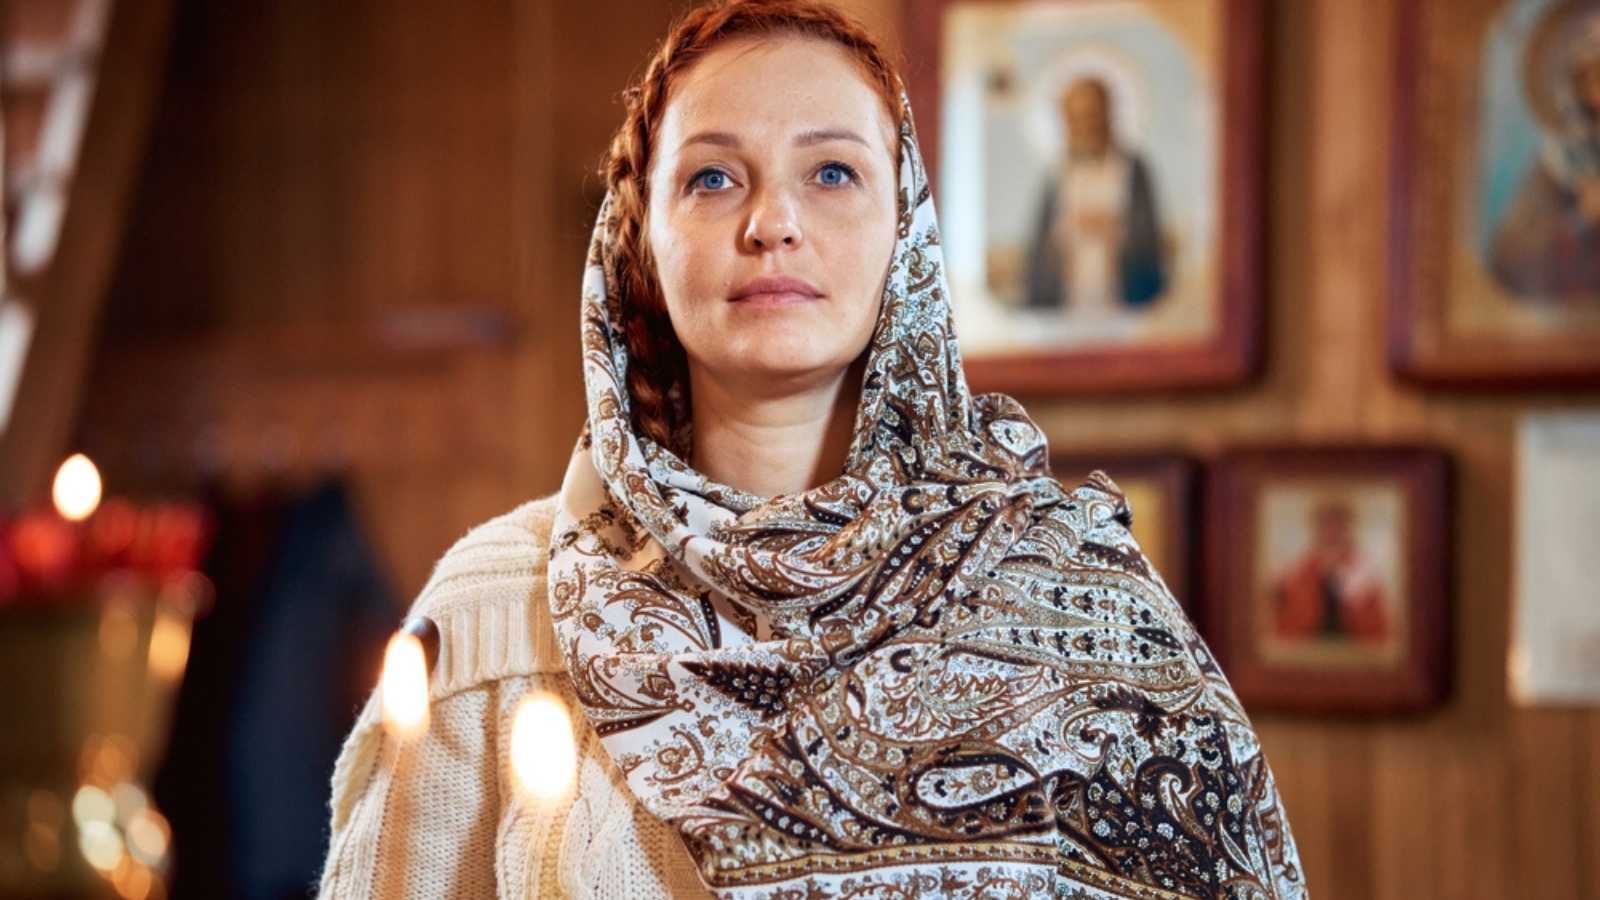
x=1326 y=576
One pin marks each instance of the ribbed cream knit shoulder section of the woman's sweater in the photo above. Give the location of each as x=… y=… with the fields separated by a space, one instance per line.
x=487 y=598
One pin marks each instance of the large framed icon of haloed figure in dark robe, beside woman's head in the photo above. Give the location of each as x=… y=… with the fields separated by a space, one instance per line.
x=1082 y=156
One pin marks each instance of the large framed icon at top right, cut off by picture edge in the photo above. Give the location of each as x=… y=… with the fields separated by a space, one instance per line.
x=1498 y=193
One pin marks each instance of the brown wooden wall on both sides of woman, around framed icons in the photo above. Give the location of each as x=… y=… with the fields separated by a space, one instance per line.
x=319 y=167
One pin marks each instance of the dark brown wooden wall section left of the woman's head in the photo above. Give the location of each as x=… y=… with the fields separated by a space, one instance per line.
x=318 y=169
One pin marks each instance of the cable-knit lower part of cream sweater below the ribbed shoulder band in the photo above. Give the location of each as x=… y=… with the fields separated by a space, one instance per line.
x=439 y=816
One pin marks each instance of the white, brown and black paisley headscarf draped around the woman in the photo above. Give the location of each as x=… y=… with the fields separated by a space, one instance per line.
x=938 y=675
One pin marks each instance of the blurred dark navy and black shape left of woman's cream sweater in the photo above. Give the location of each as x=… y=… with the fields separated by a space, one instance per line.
x=276 y=677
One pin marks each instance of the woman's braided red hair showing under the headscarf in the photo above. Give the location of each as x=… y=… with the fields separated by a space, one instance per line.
x=658 y=368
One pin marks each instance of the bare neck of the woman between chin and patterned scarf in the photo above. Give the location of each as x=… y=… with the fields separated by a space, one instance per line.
x=783 y=440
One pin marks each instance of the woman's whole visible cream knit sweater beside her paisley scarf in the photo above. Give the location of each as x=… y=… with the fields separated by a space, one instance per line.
x=441 y=816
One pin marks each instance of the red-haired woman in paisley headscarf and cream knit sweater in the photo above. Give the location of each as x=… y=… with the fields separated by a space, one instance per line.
x=826 y=624
